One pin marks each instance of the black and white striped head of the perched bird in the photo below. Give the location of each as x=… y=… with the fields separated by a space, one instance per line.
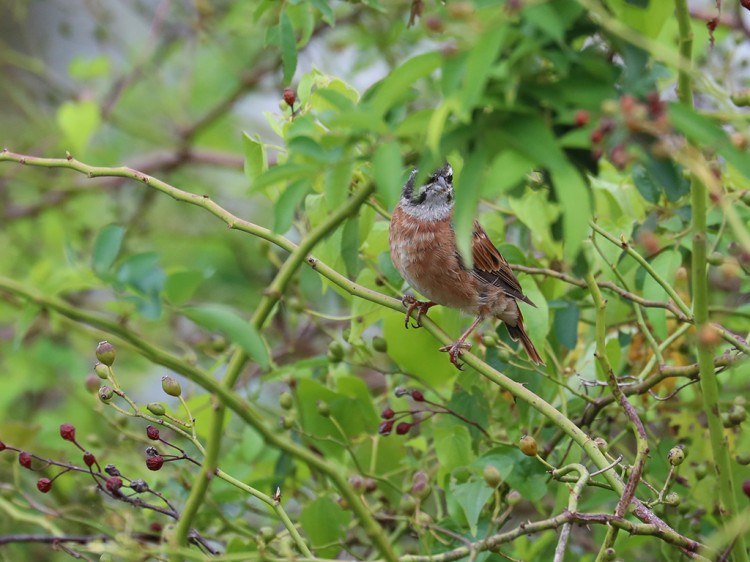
x=432 y=201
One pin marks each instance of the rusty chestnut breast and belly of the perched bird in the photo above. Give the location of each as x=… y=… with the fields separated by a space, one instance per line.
x=424 y=252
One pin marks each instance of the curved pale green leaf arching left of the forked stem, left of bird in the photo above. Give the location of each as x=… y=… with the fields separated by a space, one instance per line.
x=236 y=329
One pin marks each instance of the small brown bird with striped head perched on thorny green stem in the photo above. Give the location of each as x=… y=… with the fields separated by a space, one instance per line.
x=423 y=249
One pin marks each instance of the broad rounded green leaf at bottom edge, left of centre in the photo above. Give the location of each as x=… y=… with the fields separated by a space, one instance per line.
x=324 y=522
